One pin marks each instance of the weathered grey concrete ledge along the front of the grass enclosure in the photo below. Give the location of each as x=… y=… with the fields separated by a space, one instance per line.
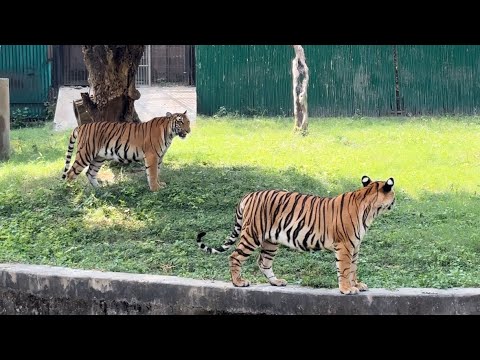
x=34 y=289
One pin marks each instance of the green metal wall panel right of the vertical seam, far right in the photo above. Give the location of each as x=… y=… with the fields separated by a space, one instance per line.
x=439 y=79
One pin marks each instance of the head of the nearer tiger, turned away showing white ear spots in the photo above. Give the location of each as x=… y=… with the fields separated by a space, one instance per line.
x=379 y=194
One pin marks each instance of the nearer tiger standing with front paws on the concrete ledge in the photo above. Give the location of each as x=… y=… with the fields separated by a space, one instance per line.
x=303 y=222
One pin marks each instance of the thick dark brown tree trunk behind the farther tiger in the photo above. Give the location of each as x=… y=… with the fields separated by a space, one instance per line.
x=111 y=76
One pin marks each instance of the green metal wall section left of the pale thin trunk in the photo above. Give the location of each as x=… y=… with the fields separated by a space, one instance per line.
x=243 y=78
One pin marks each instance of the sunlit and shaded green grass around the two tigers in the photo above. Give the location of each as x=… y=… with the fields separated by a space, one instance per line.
x=430 y=239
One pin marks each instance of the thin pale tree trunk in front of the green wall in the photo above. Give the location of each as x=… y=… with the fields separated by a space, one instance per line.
x=300 y=85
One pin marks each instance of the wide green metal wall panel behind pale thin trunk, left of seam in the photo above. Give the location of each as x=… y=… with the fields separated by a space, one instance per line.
x=257 y=79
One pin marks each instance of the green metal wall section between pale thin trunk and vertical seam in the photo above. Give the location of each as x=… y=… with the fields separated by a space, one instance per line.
x=348 y=80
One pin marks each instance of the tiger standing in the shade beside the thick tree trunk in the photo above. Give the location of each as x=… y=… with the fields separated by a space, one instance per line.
x=124 y=142
